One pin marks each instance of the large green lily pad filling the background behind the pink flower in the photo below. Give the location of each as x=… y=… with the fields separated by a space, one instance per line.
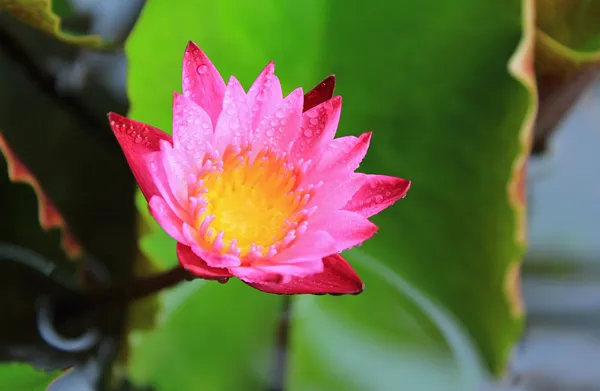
x=449 y=110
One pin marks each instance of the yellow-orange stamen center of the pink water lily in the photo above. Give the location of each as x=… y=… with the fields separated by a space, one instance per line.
x=251 y=206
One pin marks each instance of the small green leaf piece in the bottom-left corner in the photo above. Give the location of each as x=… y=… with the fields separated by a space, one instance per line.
x=22 y=377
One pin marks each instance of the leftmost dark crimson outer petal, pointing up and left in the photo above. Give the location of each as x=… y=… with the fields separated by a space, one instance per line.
x=137 y=140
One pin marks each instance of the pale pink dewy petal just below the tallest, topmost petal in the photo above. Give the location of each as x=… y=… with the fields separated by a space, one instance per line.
x=192 y=128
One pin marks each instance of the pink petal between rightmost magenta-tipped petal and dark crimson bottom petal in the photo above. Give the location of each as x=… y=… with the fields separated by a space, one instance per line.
x=348 y=229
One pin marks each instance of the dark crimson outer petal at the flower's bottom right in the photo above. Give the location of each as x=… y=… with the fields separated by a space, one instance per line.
x=337 y=278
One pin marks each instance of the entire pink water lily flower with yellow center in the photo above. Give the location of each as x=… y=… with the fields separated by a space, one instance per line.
x=254 y=185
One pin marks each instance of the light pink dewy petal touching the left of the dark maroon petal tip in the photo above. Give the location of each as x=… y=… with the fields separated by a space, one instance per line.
x=280 y=127
